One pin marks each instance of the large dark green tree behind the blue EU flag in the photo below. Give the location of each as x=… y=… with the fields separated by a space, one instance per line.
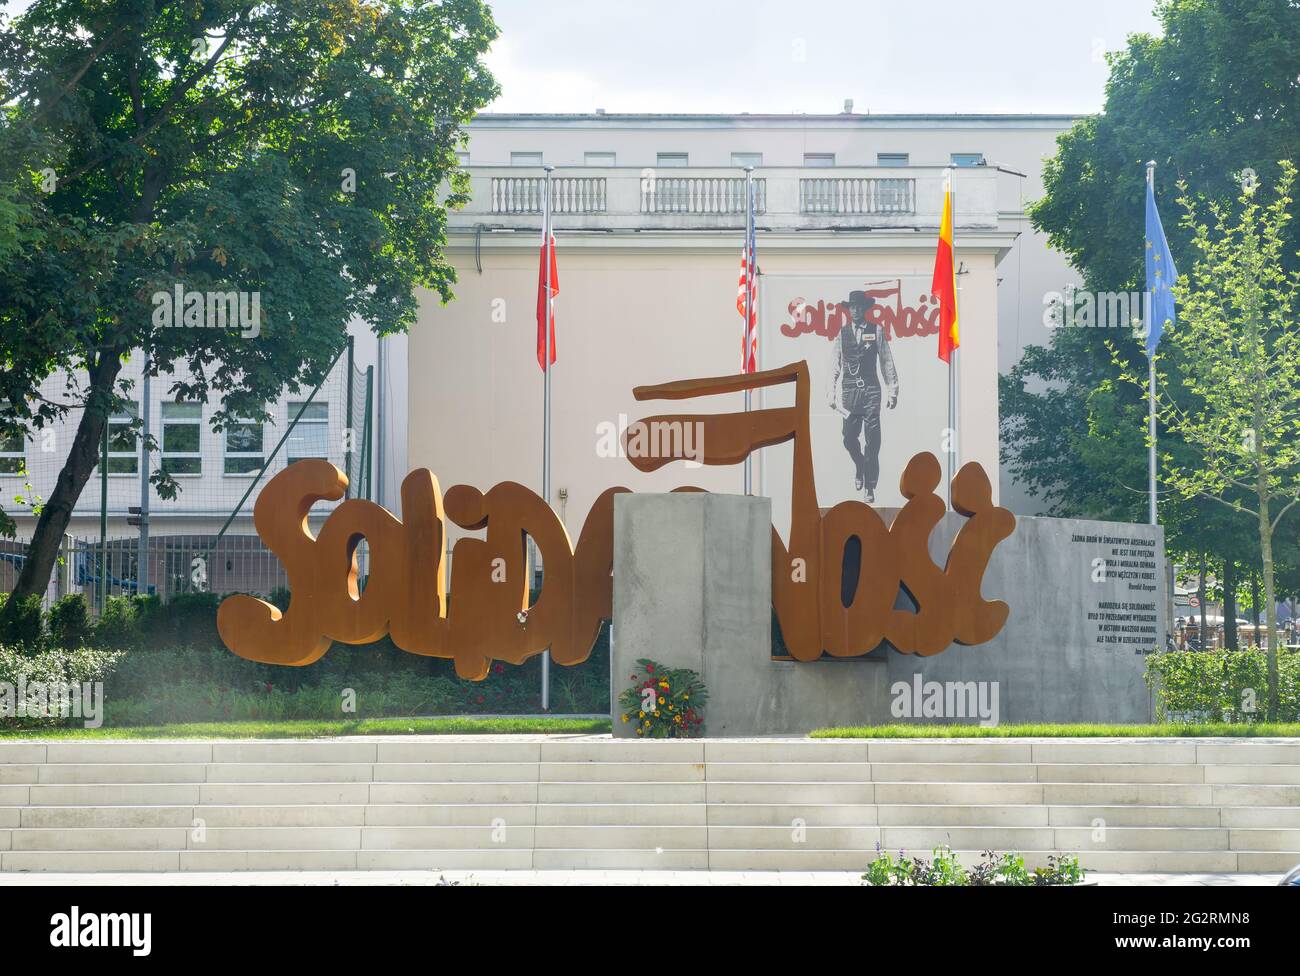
x=1214 y=97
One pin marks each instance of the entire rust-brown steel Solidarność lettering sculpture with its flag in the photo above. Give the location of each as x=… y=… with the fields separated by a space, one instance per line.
x=820 y=608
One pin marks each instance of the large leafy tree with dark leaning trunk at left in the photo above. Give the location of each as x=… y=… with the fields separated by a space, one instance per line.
x=300 y=153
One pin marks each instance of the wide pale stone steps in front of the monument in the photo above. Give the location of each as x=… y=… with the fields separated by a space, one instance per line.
x=593 y=803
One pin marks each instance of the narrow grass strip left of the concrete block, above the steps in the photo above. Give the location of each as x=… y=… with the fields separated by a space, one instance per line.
x=322 y=728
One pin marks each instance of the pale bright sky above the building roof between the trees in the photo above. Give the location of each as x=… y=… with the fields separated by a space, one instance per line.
x=727 y=57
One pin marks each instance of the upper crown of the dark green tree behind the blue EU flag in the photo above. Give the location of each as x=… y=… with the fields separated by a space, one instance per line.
x=1214 y=96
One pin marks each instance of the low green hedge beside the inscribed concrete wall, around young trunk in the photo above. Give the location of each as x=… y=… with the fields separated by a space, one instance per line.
x=1194 y=687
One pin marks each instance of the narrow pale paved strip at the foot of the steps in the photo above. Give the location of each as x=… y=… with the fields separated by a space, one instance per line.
x=551 y=878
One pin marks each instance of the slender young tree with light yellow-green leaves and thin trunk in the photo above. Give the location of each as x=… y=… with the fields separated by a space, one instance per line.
x=1238 y=341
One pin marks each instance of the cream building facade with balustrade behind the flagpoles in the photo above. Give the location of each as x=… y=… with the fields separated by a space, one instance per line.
x=649 y=219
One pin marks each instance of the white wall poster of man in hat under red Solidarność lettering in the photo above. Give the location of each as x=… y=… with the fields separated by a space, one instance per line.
x=877 y=384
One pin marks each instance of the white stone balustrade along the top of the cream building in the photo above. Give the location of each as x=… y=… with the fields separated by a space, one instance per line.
x=610 y=198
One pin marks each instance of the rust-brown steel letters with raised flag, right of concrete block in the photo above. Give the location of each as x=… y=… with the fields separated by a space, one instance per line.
x=808 y=575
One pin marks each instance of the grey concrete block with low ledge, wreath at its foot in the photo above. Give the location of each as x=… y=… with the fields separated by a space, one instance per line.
x=692 y=589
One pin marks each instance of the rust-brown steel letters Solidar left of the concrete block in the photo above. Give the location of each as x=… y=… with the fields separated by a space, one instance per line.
x=406 y=595
